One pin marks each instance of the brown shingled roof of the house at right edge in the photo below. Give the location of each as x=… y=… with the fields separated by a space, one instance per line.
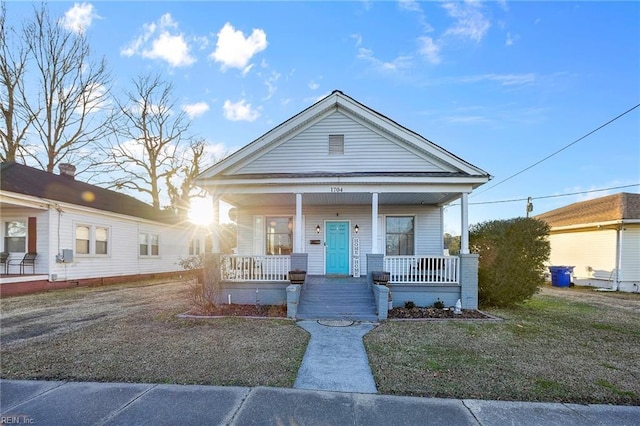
x=617 y=207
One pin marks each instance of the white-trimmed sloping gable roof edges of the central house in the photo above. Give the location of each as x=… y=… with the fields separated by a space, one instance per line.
x=337 y=101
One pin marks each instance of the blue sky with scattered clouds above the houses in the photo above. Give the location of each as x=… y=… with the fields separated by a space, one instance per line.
x=500 y=84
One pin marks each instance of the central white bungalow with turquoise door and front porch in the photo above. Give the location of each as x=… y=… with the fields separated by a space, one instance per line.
x=341 y=190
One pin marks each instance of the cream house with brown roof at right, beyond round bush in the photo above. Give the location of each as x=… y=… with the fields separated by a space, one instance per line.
x=600 y=238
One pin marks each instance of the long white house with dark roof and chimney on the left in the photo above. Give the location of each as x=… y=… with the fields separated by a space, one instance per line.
x=82 y=232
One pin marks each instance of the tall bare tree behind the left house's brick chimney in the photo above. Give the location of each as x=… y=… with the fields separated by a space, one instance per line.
x=68 y=110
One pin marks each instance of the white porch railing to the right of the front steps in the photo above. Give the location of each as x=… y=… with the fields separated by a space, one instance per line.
x=423 y=269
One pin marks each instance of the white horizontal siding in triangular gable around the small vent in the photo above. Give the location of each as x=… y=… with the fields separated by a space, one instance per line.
x=364 y=151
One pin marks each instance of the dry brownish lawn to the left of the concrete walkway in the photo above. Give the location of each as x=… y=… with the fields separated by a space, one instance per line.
x=127 y=340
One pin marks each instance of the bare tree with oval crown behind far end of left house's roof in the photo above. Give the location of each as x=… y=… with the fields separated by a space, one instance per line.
x=148 y=139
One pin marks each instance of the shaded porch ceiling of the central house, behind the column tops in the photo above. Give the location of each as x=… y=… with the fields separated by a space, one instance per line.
x=352 y=198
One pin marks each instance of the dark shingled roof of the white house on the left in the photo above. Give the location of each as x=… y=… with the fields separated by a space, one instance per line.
x=34 y=182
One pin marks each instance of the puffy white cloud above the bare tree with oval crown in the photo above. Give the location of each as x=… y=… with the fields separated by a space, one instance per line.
x=160 y=40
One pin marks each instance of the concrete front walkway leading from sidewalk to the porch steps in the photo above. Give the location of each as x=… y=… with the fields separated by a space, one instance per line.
x=335 y=359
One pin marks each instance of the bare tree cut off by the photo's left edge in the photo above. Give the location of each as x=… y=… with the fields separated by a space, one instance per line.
x=16 y=117
